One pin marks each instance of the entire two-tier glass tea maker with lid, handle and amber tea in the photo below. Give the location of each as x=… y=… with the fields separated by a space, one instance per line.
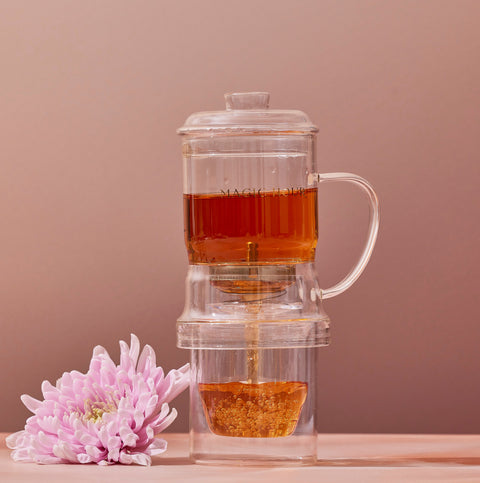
x=253 y=316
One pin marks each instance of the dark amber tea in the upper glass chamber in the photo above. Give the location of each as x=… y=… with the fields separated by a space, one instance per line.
x=278 y=226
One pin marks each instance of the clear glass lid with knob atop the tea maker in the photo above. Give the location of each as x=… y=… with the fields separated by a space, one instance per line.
x=248 y=112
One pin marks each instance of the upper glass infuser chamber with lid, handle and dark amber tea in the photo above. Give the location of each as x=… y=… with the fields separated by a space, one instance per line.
x=250 y=189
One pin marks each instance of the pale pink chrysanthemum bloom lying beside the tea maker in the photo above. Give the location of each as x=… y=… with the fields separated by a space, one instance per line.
x=109 y=415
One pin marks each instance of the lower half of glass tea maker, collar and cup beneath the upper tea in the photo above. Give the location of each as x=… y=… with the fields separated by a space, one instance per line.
x=253 y=333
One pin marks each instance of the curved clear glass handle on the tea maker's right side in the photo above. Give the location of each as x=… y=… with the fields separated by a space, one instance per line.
x=357 y=270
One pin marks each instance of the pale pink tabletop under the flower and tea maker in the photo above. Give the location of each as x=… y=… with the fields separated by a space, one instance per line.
x=343 y=458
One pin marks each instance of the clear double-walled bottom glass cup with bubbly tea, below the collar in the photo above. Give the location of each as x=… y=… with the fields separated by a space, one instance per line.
x=253 y=406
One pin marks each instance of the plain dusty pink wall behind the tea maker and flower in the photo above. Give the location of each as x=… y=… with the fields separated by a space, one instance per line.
x=91 y=241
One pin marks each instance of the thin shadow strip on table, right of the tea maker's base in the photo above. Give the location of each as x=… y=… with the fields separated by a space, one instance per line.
x=407 y=461
